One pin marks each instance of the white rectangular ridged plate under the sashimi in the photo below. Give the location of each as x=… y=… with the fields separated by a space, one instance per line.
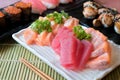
x=48 y=56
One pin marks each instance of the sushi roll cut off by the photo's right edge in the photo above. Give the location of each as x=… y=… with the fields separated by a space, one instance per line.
x=117 y=24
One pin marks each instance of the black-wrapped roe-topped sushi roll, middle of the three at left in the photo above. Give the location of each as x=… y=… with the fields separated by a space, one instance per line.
x=13 y=14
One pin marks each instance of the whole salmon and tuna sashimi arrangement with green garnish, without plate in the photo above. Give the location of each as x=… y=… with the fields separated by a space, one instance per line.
x=77 y=47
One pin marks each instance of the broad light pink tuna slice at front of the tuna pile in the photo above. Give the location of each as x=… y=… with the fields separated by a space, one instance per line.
x=68 y=52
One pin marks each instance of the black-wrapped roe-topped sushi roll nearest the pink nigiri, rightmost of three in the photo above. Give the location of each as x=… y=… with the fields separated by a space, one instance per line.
x=26 y=10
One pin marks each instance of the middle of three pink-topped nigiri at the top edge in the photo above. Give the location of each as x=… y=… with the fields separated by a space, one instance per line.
x=50 y=4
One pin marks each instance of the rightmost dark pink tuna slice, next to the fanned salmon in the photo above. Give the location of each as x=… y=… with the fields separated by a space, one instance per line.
x=88 y=48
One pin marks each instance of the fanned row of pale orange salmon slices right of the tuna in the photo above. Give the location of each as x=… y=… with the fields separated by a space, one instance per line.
x=101 y=55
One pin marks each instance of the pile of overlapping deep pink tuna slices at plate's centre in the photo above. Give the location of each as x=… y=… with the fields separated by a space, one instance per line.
x=74 y=54
